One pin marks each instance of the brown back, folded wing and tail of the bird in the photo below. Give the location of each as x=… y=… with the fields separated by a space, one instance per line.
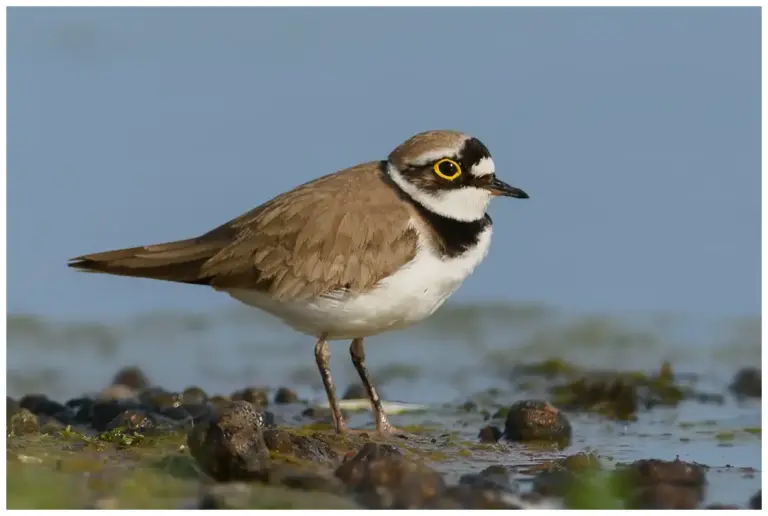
x=347 y=230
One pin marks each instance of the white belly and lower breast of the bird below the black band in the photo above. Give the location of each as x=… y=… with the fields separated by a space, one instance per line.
x=413 y=293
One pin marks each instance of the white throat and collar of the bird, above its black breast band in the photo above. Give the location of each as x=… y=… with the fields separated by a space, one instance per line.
x=464 y=204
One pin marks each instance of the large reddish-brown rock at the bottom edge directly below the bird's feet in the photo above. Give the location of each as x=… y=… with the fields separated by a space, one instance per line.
x=383 y=479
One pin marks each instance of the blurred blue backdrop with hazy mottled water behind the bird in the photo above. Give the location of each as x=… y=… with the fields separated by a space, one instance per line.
x=636 y=132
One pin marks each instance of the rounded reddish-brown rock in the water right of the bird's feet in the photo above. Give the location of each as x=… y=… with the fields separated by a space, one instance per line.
x=536 y=421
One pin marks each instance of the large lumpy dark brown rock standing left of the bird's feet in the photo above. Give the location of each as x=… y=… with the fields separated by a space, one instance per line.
x=230 y=445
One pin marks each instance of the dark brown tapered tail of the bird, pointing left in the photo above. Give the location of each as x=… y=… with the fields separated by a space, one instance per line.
x=180 y=261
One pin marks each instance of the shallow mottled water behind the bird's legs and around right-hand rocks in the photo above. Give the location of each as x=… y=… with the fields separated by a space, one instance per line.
x=457 y=355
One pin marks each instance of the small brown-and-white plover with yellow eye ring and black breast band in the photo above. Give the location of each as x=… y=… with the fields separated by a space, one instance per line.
x=368 y=249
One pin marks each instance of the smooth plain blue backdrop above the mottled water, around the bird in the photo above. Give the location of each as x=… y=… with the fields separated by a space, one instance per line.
x=636 y=132
